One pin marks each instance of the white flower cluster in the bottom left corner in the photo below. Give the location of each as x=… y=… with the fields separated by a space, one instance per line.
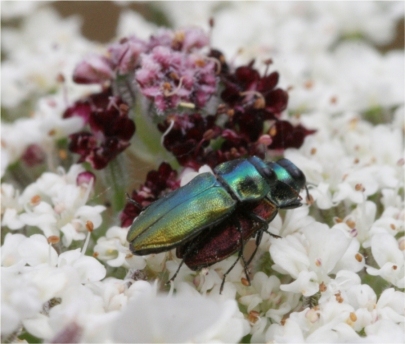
x=33 y=275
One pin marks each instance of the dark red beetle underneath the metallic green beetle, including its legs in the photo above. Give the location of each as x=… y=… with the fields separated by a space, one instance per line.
x=252 y=219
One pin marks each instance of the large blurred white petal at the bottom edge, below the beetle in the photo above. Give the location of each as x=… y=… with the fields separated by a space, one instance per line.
x=173 y=319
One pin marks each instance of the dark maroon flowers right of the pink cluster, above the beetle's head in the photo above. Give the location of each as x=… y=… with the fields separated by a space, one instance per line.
x=239 y=128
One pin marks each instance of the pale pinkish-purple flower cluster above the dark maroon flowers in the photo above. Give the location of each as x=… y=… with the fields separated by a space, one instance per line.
x=169 y=69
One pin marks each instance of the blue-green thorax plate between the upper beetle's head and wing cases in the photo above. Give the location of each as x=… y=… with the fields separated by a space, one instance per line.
x=243 y=180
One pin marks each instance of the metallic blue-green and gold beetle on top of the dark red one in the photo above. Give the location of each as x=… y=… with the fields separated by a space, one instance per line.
x=210 y=199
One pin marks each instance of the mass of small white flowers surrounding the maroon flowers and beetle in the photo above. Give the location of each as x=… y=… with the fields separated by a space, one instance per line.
x=337 y=273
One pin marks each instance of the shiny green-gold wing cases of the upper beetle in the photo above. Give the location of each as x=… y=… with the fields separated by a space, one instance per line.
x=180 y=215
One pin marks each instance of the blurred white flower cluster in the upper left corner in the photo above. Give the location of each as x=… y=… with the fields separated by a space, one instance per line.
x=45 y=47
